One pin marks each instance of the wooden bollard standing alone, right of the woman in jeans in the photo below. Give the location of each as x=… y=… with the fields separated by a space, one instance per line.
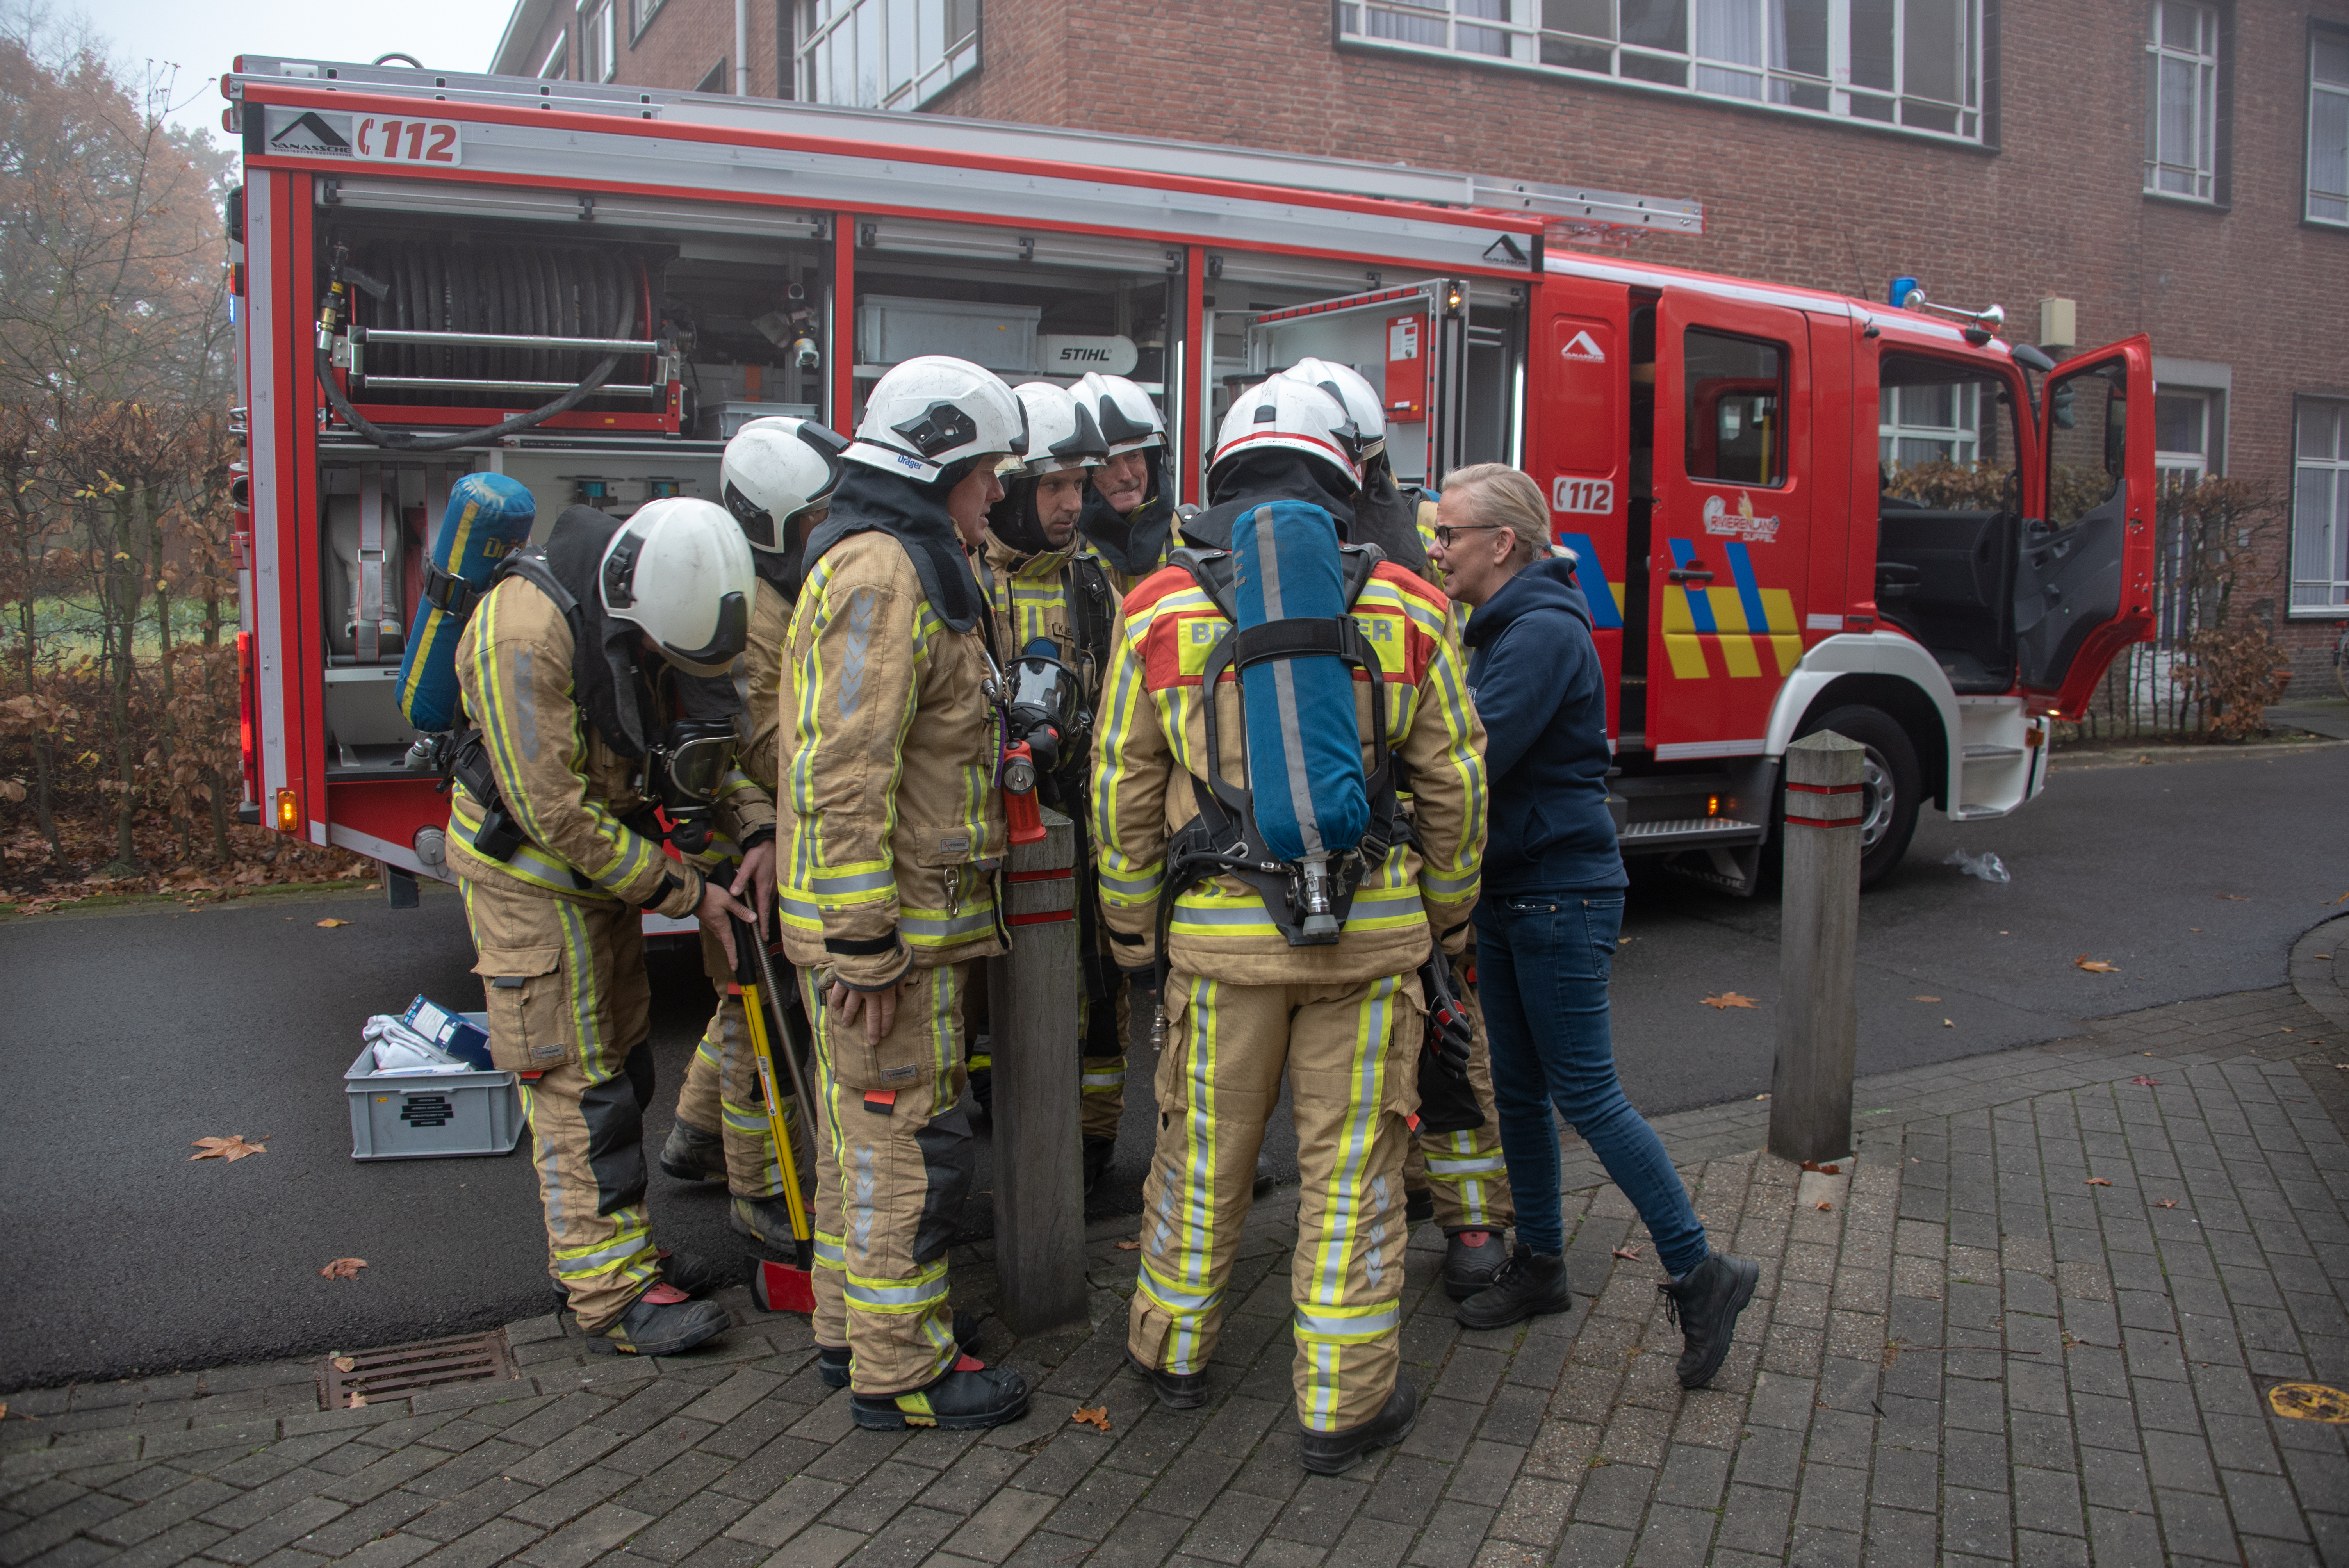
x=1819 y=935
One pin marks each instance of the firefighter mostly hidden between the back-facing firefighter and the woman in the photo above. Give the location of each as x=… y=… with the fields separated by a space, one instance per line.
x=1455 y=1175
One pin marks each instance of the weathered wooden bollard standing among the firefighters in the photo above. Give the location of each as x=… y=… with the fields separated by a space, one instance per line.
x=1039 y=1165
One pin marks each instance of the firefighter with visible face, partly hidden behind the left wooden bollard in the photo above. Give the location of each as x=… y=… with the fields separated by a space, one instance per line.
x=1051 y=595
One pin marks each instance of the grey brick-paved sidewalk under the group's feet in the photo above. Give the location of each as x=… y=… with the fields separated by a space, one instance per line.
x=1963 y=1351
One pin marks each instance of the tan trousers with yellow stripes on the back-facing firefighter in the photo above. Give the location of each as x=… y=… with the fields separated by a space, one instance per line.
x=1350 y=1053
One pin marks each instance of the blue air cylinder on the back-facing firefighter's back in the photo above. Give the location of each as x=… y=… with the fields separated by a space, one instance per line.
x=1305 y=748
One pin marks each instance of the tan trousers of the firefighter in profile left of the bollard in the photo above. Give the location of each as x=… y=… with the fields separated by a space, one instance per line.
x=891 y=1144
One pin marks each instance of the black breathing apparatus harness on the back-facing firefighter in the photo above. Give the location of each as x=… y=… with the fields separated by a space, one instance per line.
x=1307 y=900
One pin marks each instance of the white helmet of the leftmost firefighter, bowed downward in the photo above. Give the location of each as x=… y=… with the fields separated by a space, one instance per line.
x=682 y=574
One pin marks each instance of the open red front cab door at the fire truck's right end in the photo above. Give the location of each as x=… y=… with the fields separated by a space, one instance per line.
x=2085 y=581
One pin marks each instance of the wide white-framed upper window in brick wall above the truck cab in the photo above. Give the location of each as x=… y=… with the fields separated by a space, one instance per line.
x=1899 y=62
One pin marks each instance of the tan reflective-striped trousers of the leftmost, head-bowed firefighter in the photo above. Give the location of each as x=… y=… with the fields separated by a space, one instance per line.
x=570 y=1008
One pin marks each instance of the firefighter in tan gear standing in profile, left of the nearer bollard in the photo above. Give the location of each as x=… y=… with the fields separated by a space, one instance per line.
x=894 y=839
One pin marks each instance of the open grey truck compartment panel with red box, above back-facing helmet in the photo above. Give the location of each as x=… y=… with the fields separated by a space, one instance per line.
x=1411 y=344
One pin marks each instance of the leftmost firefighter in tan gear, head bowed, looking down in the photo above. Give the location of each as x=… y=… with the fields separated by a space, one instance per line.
x=595 y=675
